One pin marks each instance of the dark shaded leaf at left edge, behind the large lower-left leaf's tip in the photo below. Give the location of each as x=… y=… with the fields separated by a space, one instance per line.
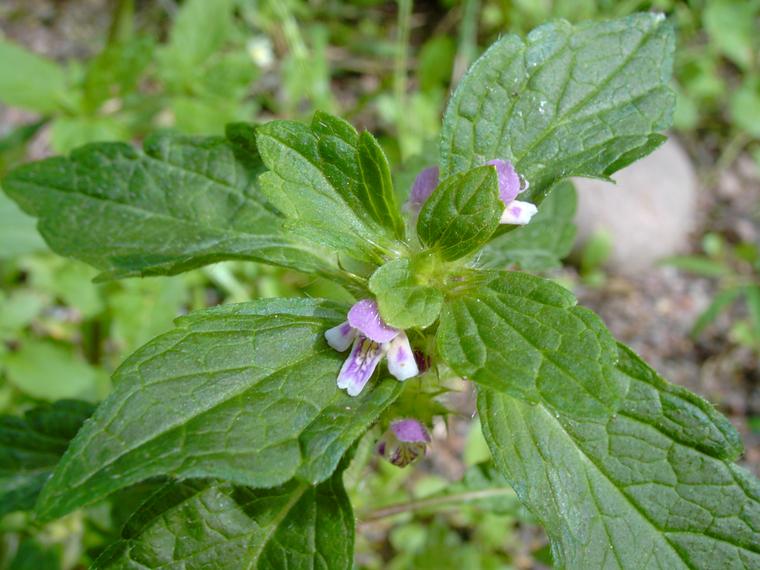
x=30 y=448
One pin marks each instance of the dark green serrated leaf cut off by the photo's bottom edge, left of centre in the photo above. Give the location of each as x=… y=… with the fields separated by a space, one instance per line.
x=205 y=525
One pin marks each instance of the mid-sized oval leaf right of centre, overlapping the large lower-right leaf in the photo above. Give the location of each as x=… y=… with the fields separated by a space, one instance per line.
x=525 y=336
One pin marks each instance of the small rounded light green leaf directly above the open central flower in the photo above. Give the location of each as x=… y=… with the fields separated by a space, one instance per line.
x=405 y=302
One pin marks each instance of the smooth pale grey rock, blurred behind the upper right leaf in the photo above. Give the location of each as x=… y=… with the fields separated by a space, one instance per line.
x=649 y=212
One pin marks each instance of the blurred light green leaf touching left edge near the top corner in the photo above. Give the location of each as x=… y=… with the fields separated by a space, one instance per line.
x=29 y=81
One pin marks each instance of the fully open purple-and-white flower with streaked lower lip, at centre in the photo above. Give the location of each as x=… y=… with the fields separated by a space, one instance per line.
x=372 y=339
